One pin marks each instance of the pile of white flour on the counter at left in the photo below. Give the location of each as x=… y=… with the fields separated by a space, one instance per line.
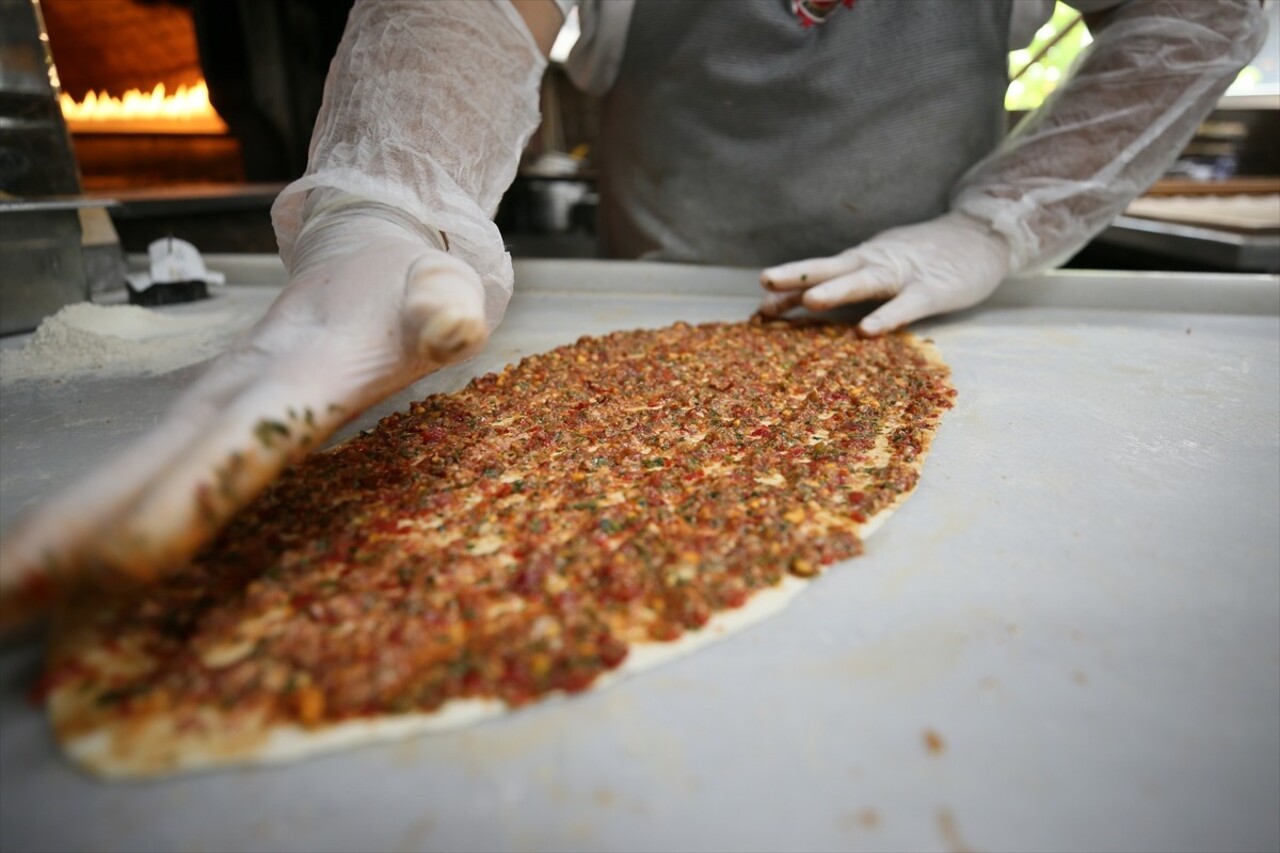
x=116 y=341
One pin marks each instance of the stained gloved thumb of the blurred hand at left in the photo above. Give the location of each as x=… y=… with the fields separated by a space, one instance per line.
x=445 y=317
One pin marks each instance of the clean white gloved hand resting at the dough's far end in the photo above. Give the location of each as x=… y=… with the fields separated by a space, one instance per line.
x=940 y=266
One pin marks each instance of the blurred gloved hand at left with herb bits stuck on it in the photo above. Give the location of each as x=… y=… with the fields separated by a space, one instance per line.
x=373 y=305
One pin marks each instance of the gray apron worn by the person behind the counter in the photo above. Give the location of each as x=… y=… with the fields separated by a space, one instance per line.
x=735 y=136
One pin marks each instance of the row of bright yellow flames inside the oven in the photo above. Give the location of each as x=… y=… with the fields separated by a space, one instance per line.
x=157 y=112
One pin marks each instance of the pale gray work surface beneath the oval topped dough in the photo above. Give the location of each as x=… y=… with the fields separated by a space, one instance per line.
x=1069 y=638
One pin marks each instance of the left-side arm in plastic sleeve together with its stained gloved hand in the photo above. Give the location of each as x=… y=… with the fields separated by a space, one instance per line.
x=395 y=267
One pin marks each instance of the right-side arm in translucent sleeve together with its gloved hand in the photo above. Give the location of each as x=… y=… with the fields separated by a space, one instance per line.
x=1131 y=106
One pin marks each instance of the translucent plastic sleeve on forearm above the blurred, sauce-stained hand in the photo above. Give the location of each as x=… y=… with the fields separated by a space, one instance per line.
x=427 y=111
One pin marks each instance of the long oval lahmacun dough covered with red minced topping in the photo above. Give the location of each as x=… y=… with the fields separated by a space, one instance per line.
x=588 y=513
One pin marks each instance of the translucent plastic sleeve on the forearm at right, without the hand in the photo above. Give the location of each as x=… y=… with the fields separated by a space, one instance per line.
x=1133 y=103
